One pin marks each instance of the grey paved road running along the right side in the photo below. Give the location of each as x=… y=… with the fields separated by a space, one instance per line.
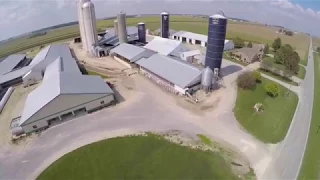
x=289 y=153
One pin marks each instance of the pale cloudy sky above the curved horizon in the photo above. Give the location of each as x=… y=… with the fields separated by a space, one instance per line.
x=21 y=16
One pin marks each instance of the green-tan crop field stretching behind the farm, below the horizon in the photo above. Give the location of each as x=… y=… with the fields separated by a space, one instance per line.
x=248 y=31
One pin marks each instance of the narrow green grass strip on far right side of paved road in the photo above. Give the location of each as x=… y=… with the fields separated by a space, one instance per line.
x=311 y=161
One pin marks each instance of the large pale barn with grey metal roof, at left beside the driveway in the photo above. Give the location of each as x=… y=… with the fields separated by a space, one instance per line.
x=64 y=93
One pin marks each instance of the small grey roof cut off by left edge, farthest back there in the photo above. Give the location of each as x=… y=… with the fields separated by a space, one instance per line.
x=10 y=62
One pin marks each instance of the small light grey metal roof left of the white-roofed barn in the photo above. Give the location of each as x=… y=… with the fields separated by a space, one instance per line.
x=128 y=51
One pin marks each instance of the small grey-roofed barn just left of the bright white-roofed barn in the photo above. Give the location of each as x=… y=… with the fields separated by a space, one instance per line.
x=131 y=52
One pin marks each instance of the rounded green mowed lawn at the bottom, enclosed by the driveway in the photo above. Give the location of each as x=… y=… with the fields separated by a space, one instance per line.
x=138 y=157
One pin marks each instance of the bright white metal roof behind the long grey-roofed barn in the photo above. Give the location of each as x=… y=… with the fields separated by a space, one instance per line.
x=163 y=46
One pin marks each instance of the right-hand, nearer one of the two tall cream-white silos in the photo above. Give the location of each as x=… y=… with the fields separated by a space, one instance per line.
x=90 y=29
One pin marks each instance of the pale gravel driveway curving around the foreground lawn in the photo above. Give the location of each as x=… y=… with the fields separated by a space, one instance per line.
x=147 y=112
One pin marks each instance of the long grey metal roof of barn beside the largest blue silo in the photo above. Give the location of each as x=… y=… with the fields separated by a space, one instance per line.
x=175 y=71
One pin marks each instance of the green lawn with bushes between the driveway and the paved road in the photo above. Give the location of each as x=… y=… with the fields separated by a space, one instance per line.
x=271 y=125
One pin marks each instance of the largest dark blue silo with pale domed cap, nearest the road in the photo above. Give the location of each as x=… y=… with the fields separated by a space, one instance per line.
x=216 y=37
